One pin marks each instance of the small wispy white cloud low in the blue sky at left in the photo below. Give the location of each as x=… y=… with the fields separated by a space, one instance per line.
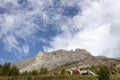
x=12 y=44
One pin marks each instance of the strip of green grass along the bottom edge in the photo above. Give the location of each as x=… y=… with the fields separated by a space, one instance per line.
x=113 y=77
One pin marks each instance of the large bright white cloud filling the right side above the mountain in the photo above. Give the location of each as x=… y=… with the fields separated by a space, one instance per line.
x=99 y=30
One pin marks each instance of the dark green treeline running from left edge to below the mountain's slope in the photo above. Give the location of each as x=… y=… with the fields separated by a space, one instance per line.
x=8 y=69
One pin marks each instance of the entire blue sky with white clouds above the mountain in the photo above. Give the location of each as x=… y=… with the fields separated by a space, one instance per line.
x=30 y=26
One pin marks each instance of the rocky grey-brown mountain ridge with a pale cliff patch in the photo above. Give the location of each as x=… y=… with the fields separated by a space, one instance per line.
x=63 y=58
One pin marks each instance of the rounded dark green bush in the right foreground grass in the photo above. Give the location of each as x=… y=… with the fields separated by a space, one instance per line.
x=104 y=73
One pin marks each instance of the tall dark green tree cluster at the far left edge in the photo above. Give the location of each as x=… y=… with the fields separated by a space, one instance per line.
x=8 y=70
